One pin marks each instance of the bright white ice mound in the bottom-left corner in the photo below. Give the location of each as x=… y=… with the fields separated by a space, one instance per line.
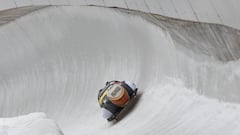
x=31 y=124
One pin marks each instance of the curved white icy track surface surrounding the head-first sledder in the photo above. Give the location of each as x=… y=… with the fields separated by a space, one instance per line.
x=55 y=60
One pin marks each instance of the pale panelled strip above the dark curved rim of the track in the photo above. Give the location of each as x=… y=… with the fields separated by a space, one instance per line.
x=212 y=11
